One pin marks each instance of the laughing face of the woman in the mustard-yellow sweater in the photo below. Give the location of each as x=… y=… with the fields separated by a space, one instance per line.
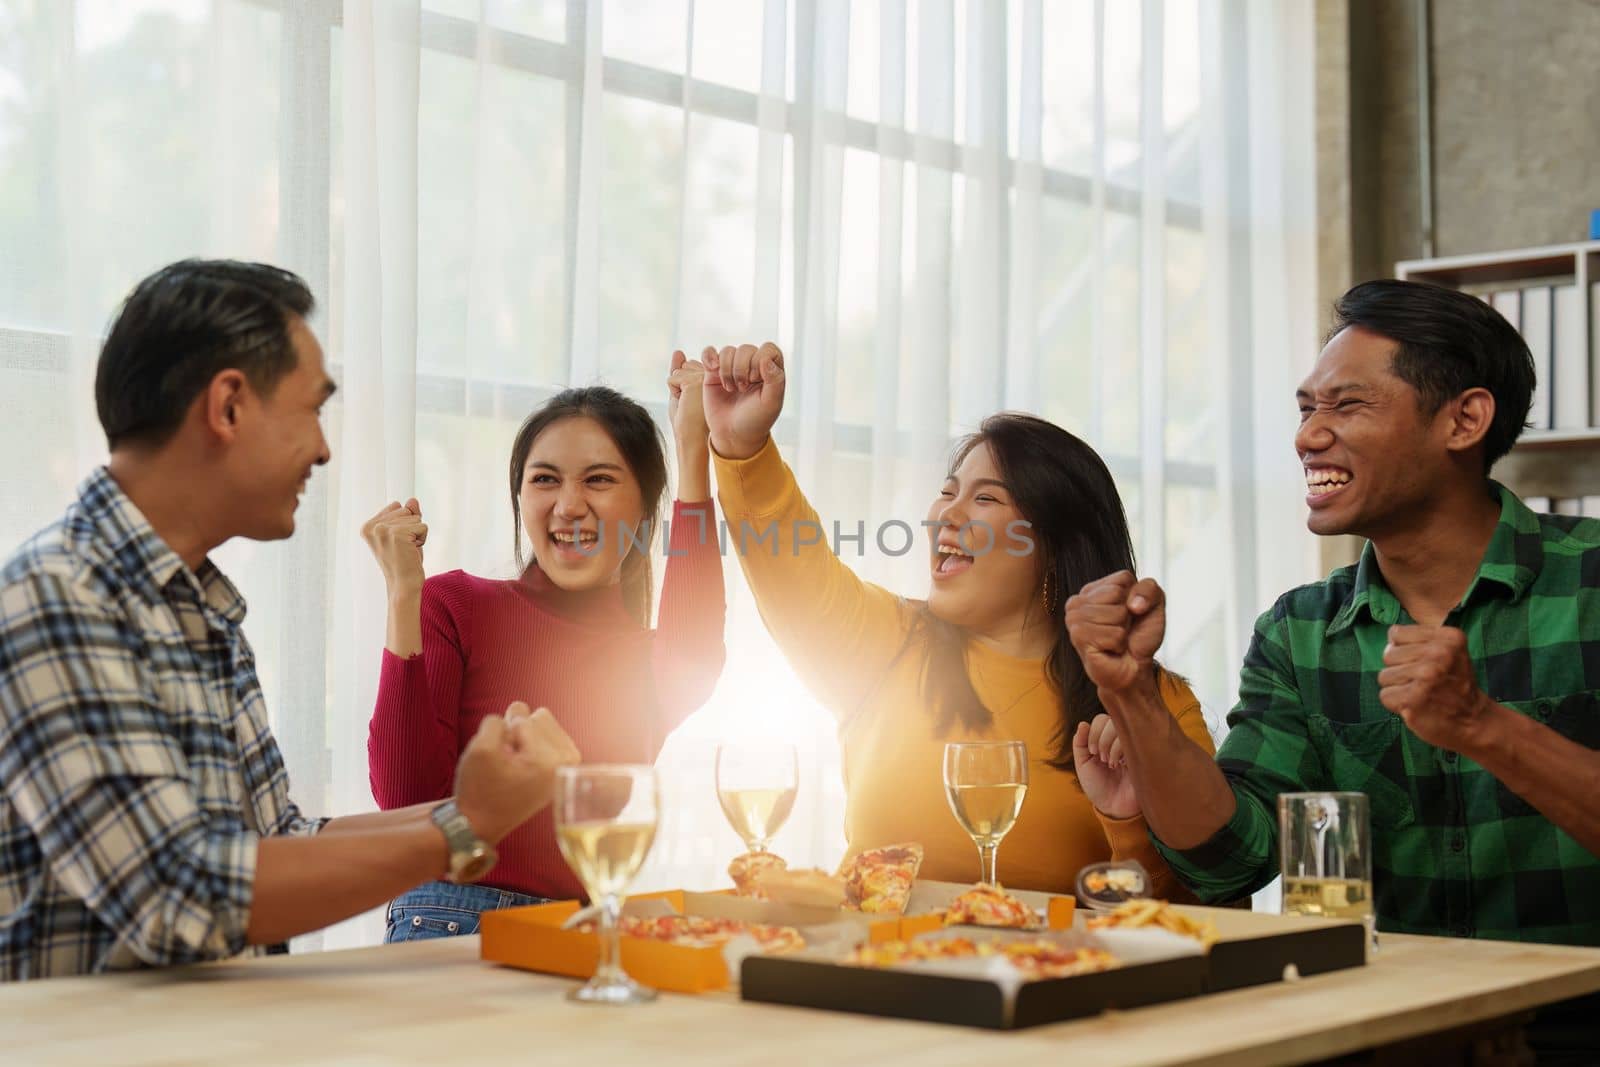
x=977 y=583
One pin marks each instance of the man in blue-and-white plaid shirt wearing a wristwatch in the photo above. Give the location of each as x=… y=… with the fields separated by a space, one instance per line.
x=145 y=817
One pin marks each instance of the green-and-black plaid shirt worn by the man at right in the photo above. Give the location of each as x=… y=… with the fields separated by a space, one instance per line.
x=1454 y=852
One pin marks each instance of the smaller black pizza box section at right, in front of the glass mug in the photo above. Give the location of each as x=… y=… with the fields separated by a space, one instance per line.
x=1260 y=948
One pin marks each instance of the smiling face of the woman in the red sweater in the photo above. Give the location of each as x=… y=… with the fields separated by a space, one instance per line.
x=578 y=502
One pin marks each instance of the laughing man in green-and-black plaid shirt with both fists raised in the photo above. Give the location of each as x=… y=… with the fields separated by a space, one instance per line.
x=1450 y=674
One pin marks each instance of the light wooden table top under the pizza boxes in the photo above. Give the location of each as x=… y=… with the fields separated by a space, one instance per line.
x=436 y=1002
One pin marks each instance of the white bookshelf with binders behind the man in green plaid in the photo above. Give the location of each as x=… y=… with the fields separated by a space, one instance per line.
x=1553 y=297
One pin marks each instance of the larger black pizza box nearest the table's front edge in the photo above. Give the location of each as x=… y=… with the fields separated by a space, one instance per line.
x=1158 y=967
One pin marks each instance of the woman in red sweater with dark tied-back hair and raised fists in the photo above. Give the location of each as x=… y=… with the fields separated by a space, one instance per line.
x=588 y=481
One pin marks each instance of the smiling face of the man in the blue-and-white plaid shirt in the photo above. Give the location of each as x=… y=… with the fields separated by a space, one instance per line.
x=279 y=442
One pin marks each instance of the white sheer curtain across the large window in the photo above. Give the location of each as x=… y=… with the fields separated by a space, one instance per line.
x=1097 y=210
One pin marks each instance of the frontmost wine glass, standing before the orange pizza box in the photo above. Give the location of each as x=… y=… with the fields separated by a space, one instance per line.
x=606 y=821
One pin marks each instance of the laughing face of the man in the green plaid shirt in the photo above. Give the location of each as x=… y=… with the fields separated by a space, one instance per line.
x=1372 y=455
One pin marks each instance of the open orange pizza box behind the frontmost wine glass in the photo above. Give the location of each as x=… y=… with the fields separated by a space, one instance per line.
x=532 y=938
